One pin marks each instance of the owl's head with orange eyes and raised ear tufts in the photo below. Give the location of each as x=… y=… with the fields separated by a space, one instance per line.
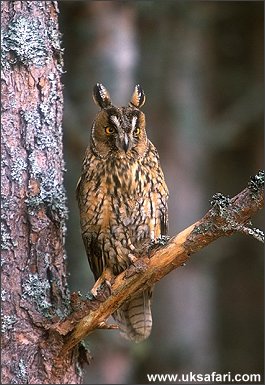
x=119 y=131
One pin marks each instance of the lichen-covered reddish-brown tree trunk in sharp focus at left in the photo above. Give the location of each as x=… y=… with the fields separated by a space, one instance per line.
x=34 y=287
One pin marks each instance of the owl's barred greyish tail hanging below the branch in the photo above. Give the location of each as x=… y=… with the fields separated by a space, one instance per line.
x=134 y=317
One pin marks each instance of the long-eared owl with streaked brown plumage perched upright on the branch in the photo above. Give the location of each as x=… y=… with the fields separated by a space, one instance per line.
x=122 y=198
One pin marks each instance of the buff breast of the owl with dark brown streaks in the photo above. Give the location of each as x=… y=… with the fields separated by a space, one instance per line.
x=123 y=202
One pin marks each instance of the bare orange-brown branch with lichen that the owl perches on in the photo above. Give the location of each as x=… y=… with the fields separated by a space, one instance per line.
x=224 y=218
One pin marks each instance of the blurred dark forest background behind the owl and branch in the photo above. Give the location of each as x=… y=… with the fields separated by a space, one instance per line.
x=201 y=66
